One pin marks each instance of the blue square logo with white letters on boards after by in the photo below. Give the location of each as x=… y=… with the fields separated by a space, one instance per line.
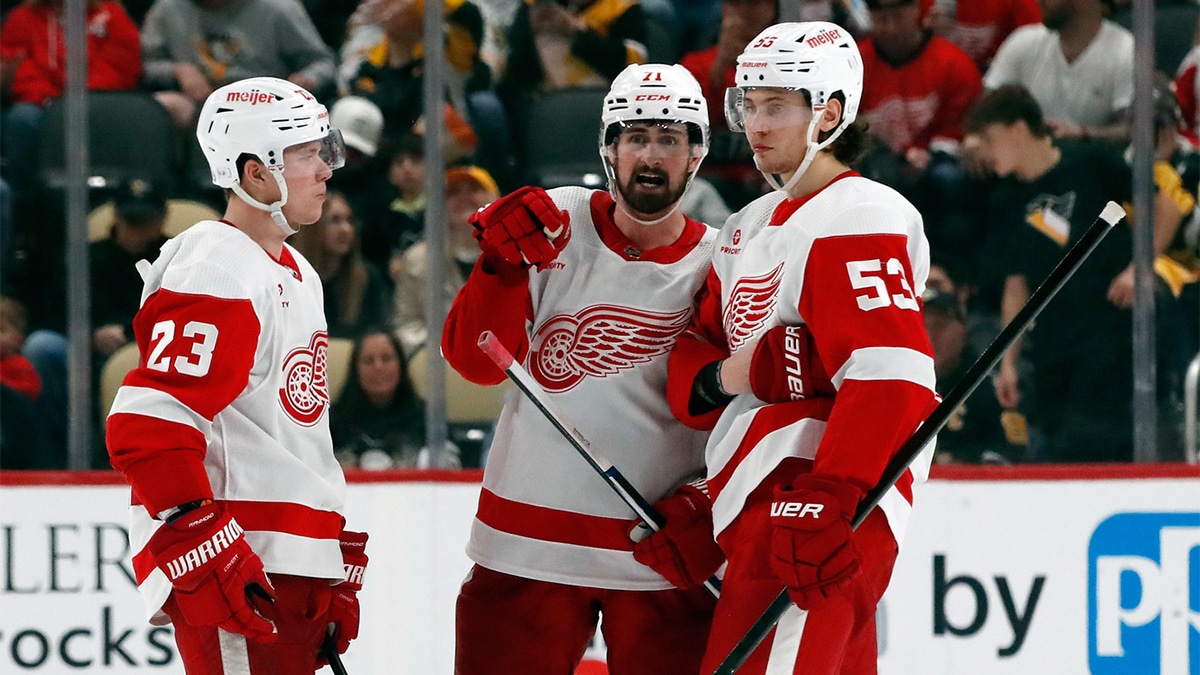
x=1144 y=595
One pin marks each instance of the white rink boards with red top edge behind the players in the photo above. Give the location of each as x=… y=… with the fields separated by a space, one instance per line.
x=1058 y=571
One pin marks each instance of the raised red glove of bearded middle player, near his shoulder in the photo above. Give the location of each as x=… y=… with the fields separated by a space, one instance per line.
x=523 y=229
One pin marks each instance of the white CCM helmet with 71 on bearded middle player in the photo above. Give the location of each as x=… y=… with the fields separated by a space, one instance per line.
x=659 y=93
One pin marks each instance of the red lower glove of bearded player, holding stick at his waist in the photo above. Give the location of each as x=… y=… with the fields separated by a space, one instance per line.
x=683 y=552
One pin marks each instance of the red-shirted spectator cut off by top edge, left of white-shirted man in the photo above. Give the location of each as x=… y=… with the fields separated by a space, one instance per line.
x=979 y=27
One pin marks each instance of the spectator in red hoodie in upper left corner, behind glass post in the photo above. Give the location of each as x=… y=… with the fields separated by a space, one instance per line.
x=33 y=69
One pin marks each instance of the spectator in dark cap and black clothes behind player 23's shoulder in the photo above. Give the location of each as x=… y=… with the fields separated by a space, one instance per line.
x=140 y=212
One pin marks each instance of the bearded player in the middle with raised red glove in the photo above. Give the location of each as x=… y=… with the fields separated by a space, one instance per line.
x=590 y=290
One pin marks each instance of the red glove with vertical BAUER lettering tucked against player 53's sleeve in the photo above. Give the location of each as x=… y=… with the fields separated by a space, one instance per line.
x=785 y=367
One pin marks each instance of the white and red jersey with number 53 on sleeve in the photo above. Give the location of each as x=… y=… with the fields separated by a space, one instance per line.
x=849 y=261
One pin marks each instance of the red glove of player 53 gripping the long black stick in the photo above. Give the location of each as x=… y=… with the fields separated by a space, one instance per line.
x=813 y=552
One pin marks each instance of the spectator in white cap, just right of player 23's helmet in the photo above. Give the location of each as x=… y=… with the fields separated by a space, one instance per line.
x=362 y=126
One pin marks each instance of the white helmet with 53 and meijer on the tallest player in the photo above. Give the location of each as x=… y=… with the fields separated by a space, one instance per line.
x=818 y=58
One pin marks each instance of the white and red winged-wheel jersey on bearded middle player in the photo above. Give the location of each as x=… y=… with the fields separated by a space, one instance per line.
x=595 y=328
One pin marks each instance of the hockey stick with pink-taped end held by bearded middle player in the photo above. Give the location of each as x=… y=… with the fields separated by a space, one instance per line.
x=615 y=479
